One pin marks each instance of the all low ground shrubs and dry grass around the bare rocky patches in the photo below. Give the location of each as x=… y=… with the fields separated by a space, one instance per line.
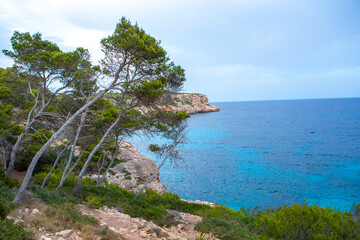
x=298 y=221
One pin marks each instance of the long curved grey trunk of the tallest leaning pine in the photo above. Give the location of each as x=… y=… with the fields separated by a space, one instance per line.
x=35 y=159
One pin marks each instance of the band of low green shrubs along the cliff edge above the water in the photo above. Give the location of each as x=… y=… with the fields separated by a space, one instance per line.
x=293 y=222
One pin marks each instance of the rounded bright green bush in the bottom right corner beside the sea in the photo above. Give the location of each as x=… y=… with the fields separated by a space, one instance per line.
x=306 y=222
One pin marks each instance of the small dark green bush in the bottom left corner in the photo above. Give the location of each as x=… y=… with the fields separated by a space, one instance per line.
x=11 y=231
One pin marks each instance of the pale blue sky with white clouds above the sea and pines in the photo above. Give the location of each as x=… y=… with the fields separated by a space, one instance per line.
x=231 y=50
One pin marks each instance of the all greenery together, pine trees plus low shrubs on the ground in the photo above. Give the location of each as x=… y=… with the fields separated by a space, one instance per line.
x=62 y=118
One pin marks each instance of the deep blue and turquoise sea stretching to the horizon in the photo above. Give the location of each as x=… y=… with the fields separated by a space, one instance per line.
x=271 y=153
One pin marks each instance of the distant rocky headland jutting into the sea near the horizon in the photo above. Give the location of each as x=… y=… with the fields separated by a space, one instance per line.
x=189 y=102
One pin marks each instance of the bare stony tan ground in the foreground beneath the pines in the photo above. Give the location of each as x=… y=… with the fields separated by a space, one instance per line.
x=120 y=223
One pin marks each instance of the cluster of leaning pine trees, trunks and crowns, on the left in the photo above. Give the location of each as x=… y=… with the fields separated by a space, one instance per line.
x=50 y=95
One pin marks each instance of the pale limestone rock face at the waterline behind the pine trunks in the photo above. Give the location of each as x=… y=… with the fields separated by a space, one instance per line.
x=135 y=170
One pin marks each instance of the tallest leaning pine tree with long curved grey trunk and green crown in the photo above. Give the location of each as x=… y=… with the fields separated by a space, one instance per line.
x=135 y=65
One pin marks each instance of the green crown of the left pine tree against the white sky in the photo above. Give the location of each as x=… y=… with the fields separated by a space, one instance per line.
x=38 y=57
